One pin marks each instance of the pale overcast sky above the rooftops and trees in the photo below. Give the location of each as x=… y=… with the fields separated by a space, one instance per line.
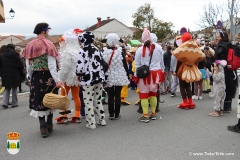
x=62 y=15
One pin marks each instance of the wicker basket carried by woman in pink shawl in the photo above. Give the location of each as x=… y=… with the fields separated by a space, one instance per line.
x=55 y=101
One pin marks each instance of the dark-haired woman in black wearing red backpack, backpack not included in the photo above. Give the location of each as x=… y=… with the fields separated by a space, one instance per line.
x=231 y=78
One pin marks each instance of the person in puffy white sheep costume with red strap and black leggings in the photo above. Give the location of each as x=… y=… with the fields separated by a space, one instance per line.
x=117 y=74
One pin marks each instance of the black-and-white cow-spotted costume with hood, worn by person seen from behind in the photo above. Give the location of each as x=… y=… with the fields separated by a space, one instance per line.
x=91 y=77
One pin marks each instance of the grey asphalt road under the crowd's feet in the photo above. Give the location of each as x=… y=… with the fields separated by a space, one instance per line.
x=178 y=135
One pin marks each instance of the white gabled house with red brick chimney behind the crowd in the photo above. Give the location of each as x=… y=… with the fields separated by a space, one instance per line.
x=103 y=27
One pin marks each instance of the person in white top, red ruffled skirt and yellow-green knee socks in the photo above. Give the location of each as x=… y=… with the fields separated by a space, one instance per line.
x=148 y=86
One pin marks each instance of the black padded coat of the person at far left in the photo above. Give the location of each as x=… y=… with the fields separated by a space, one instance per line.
x=10 y=64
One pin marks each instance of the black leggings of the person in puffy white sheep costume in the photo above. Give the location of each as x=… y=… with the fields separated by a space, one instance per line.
x=114 y=100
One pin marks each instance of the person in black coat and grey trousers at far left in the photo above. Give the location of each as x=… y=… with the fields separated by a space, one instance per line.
x=10 y=63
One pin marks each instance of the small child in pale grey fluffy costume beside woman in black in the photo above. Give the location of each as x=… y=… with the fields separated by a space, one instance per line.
x=218 y=88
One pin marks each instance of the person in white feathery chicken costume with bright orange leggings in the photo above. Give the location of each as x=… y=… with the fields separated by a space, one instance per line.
x=69 y=50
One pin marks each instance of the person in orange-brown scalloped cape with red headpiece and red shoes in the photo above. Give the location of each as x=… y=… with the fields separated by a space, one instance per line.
x=188 y=55
